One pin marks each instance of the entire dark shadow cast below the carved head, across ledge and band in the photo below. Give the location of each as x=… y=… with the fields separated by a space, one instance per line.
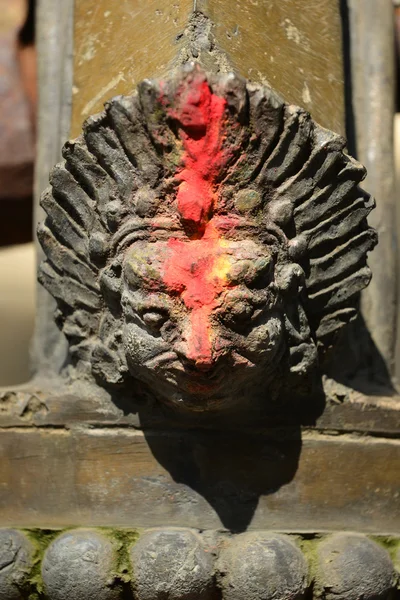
x=230 y=459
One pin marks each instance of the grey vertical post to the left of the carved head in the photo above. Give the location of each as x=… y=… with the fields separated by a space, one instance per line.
x=53 y=41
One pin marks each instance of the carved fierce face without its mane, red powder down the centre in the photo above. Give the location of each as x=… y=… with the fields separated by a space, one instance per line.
x=202 y=318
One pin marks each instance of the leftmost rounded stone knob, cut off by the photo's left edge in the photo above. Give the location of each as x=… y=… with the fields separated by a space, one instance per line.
x=16 y=560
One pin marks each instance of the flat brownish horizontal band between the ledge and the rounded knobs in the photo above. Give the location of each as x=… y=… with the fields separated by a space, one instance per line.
x=202 y=480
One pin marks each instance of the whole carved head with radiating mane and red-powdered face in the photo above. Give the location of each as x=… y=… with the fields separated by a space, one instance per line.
x=206 y=239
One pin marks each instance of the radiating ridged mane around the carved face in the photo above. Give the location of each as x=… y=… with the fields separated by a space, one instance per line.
x=106 y=192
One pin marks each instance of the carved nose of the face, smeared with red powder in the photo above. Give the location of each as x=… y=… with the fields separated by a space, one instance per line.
x=195 y=347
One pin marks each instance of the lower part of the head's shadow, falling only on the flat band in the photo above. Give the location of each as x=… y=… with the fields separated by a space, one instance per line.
x=230 y=471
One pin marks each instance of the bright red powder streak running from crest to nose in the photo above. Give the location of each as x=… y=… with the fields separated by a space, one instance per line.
x=193 y=267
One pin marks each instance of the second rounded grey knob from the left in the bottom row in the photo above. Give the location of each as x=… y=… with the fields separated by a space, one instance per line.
x=78 y=565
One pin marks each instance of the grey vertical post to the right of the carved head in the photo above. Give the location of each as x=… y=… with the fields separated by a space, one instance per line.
x=372 y=103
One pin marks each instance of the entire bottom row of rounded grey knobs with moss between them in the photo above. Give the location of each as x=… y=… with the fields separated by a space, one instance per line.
x=182 y=563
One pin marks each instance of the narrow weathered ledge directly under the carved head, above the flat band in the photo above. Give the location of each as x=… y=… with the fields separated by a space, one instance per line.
x=346 y=410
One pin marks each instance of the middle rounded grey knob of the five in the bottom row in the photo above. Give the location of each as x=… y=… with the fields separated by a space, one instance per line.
x=171 y=563
